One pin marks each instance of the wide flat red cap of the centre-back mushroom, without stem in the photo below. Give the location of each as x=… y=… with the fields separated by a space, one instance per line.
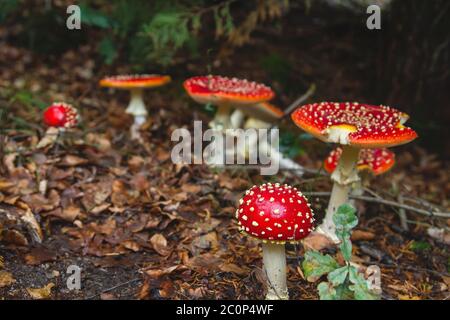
x=217 y=89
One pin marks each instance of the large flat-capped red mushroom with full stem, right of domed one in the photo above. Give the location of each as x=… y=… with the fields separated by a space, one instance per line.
x=354 y=126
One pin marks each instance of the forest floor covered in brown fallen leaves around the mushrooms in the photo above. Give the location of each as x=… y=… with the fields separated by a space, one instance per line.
x=142 y=227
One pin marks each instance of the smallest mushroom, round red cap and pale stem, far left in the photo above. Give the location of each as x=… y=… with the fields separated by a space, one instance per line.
x=59 y=116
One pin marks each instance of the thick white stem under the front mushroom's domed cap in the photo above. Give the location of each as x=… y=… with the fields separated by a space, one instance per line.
x=274 y=264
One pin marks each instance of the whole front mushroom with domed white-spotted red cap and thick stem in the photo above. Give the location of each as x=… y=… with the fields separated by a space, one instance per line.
x=275 y=214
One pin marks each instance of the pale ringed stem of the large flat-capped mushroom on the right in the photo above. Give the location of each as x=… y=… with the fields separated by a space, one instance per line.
x=344 y=175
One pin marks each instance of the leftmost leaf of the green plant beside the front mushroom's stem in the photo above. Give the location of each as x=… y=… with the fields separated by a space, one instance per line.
x=316 y=264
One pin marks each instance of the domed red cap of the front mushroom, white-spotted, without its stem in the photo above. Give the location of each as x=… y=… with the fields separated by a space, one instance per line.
x=275 y=213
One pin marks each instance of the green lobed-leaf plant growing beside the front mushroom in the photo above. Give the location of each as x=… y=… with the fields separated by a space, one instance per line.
x=343 y=282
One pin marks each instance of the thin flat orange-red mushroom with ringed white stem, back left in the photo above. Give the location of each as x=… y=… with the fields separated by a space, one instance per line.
x=136 y=84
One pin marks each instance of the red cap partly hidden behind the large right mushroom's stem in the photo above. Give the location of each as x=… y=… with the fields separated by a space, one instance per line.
x=377 y=161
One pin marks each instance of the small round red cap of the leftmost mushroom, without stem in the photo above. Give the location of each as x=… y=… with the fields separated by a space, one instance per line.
x=61 y=115
